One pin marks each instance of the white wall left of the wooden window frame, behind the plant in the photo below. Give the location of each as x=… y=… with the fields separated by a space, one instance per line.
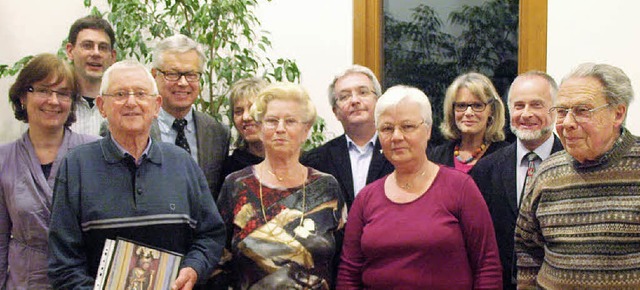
x=317 y=34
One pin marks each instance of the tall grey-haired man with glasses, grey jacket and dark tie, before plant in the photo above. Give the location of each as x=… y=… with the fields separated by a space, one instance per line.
x=178 y=62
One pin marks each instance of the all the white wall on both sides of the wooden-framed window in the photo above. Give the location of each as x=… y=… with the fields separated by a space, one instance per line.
x=318 y=35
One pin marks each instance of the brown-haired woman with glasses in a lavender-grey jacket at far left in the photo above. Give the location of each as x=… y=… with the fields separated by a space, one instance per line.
x=44 y=96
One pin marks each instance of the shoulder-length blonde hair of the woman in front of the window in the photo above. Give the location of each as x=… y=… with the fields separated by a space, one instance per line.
x=481 y=87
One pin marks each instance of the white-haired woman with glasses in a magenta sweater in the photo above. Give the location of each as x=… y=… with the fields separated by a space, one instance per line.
x=424 y=226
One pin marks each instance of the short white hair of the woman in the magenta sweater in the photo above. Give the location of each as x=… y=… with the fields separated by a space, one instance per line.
x=396 y=94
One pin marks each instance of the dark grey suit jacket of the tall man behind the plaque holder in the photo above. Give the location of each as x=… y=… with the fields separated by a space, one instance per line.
x=213 y=147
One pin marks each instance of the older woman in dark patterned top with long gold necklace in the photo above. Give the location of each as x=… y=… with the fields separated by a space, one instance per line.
x=284 y=220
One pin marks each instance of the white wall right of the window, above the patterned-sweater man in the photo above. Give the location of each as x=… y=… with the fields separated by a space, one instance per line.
x=596 y=31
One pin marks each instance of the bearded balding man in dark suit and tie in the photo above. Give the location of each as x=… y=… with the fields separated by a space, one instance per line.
x=501 y=176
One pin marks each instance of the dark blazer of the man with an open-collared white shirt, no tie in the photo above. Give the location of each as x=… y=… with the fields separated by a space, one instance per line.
x=333 y=158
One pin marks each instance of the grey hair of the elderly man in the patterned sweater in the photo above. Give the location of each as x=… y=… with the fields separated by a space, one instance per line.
x=617 y=86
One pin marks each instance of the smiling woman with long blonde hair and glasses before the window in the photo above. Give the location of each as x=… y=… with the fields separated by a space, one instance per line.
x=473 y=122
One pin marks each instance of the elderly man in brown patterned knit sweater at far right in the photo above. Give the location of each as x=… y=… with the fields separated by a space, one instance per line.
x=579 y=224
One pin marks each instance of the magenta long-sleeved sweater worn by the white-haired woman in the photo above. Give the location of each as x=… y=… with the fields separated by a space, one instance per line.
x=442 y=240
